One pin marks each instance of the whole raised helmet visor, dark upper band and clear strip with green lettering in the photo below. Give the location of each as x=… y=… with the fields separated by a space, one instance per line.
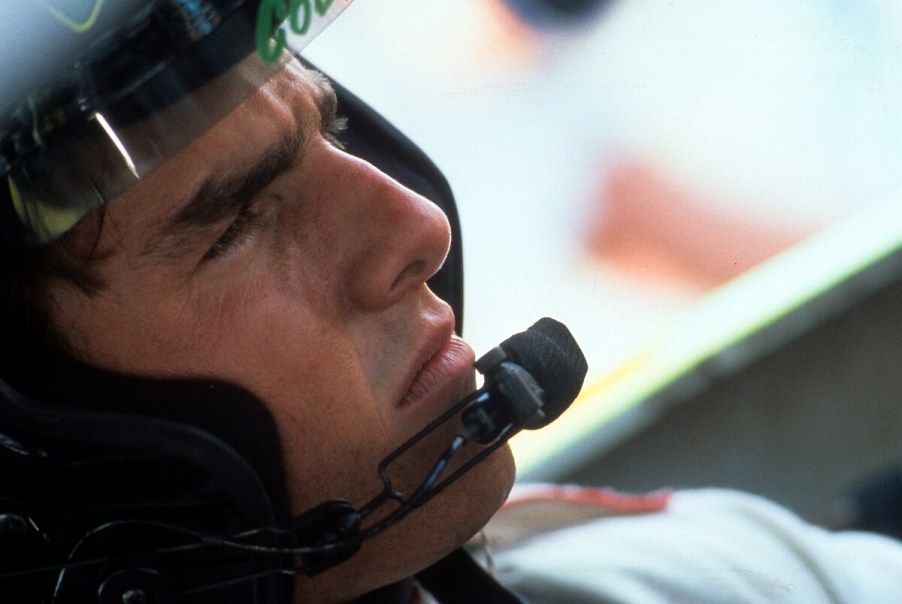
x=112 y=121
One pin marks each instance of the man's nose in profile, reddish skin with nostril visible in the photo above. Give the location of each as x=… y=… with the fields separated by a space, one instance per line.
x=402 y=239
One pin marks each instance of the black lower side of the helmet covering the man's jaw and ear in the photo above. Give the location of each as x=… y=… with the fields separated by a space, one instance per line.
x=121 y=480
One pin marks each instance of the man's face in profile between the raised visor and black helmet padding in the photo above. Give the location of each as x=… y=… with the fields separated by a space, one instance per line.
x=264 y=256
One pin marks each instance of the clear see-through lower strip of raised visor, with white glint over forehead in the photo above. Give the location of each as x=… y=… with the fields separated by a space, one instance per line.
x=82 y=166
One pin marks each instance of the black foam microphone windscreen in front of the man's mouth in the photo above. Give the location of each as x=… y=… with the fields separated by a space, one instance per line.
x=548 y=351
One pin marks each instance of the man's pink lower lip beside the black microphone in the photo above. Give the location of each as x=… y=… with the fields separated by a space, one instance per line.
x=441 y=374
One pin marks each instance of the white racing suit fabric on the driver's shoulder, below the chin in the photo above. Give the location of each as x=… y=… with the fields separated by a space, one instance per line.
x=707 y=546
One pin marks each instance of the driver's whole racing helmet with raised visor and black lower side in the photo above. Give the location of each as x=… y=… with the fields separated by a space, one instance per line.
x=121 y=489
